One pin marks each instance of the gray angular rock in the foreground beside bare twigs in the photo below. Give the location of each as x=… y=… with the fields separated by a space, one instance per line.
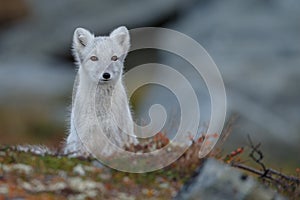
x=217 y=181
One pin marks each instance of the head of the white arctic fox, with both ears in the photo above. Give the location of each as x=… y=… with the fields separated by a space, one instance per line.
x=101 y=58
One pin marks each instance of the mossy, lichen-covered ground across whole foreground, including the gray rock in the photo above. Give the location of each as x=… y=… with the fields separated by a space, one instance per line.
x=25 y=175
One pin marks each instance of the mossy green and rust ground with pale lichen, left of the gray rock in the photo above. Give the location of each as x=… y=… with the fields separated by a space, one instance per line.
x=31 y=176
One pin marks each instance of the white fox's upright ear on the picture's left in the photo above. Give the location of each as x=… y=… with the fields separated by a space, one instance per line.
x=82 y=38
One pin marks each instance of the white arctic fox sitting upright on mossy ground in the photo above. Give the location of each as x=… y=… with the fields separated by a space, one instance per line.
x=100 y=115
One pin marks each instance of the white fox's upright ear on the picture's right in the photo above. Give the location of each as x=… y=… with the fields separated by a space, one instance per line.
x=121 y=36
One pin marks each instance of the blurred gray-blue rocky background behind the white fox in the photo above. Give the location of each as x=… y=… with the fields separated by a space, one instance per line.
x=255 y=44
